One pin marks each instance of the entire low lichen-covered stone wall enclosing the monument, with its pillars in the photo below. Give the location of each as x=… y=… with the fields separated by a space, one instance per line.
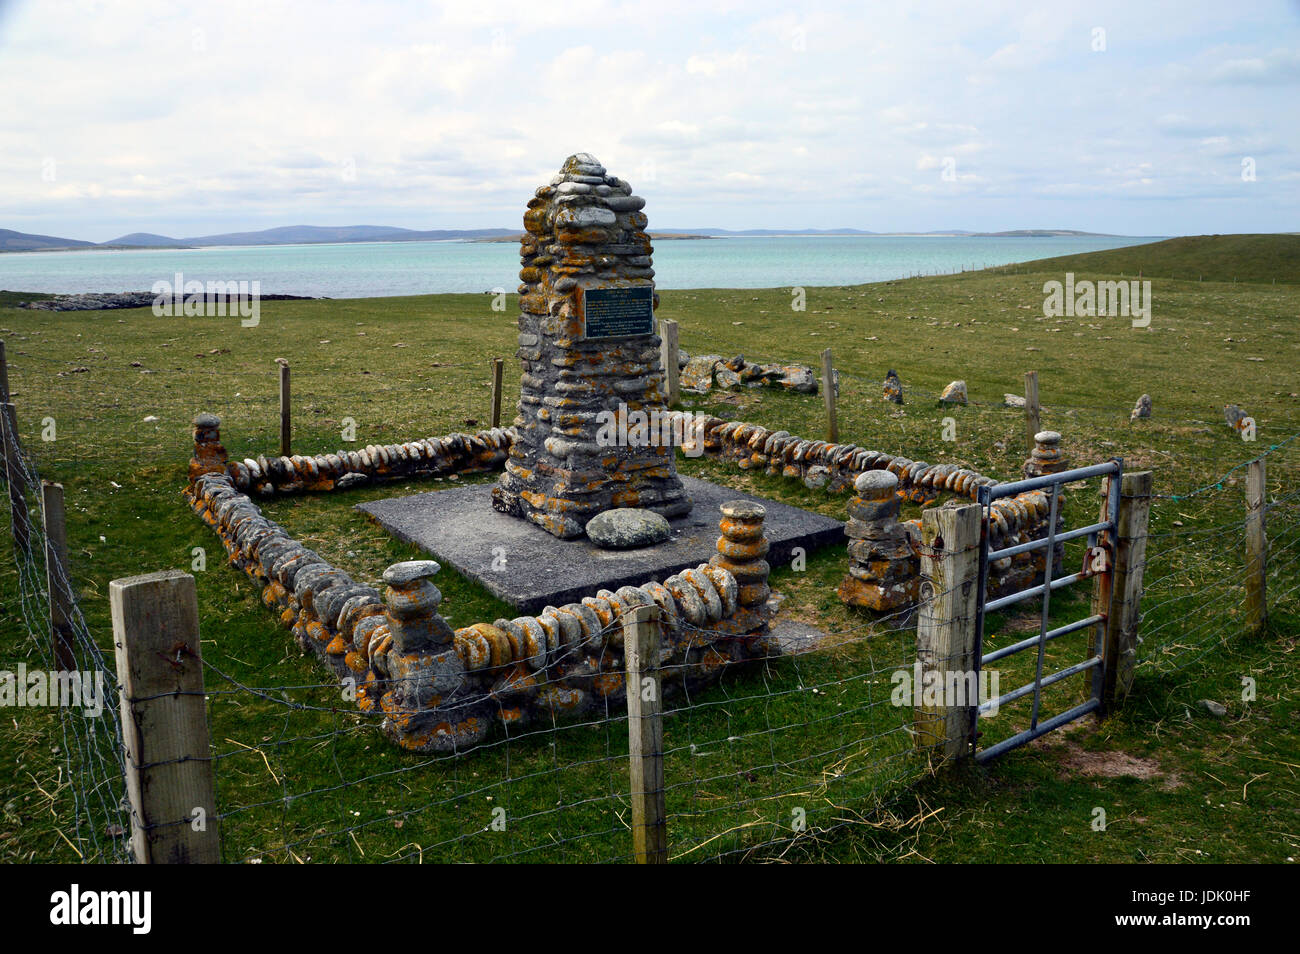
x=445 y=691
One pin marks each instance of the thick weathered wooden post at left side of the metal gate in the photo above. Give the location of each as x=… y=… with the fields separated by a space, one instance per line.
x=946 y=627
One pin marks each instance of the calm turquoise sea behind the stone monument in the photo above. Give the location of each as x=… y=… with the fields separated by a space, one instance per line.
x=421 y=268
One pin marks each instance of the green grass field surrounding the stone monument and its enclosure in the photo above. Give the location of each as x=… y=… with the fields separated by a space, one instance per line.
x=1175 y=782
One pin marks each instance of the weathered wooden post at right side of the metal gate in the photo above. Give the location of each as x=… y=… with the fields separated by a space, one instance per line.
x=1124 y=595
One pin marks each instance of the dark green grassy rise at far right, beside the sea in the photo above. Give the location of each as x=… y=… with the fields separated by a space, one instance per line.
x=1211 y=258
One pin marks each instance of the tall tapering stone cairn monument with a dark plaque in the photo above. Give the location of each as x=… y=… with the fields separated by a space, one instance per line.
x=590 y=345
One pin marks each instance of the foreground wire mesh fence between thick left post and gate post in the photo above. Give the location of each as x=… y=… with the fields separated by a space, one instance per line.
x=777 y=749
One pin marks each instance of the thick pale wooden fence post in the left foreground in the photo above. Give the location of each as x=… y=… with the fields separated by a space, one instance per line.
x=170 y=775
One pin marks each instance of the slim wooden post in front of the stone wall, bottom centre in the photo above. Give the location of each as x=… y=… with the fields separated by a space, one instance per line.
x=645 y=735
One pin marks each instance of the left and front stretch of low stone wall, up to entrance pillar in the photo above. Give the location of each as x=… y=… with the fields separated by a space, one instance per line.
x=444 y=691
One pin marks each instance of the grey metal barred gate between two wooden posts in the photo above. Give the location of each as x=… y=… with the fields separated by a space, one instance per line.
x=1098 y=566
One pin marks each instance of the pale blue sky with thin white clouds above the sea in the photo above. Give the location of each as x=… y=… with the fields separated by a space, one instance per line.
x=190 y=119
